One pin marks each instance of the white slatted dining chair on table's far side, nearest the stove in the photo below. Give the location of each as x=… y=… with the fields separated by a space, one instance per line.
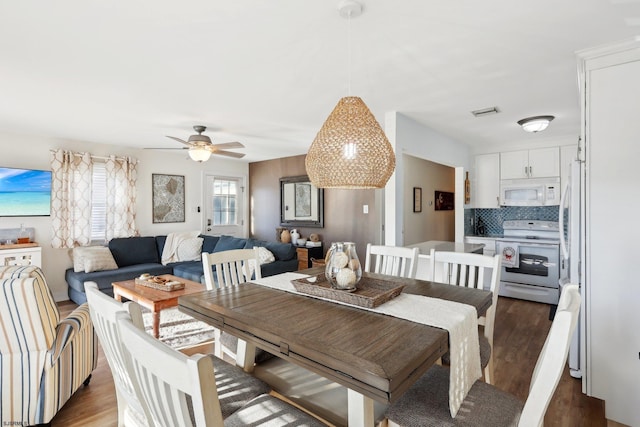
x=472 y=271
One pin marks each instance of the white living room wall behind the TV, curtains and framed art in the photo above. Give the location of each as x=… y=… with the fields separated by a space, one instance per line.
x=33 y=152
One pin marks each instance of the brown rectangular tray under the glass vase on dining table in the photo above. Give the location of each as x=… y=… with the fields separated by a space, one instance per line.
x=370 y=292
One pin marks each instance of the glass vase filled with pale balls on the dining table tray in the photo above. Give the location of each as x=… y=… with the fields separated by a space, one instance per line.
x=343 y=269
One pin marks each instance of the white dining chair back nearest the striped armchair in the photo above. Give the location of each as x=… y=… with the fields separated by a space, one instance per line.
x=103 y=309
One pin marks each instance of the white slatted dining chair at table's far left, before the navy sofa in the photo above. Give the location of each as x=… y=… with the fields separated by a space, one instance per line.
x=230 y=268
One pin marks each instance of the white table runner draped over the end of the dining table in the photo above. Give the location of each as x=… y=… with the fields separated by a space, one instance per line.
x=460 y=320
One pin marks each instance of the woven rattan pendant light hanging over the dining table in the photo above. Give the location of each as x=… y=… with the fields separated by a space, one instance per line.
x=351 y=149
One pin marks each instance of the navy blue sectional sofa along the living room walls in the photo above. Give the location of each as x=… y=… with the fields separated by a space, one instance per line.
x=137 y=255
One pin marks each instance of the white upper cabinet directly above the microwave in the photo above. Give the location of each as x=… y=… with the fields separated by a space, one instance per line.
x=535 y=163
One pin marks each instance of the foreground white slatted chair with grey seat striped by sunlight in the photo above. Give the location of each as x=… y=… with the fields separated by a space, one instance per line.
x=180 y=390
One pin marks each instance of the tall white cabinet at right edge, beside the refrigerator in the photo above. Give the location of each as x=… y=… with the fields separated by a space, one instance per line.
x=611 y=107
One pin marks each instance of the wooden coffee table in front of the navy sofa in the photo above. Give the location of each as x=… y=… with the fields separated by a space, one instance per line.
x=155 y=299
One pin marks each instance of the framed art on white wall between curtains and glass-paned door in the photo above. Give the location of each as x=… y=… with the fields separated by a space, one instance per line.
x=167 y=198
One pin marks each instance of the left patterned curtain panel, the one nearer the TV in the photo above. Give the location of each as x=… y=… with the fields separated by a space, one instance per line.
x=70 y=199
